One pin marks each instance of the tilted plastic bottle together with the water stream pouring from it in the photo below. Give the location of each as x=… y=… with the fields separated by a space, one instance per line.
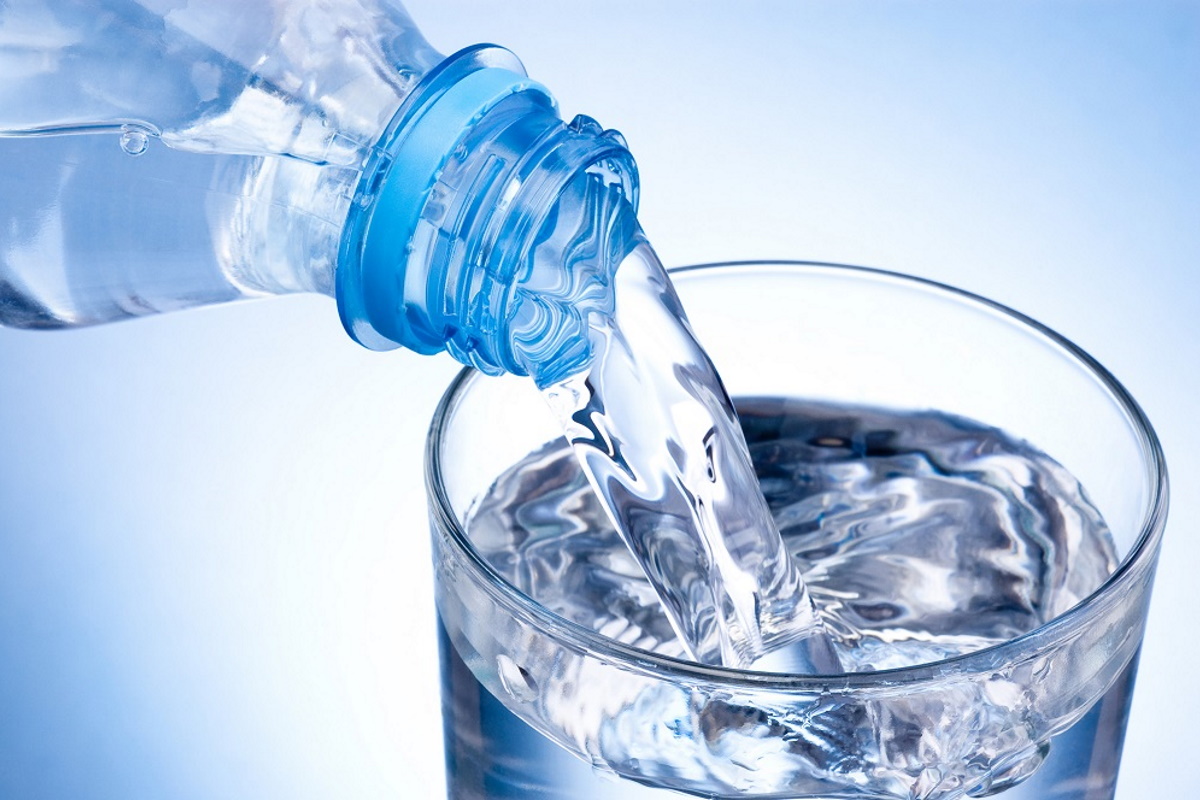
x=161 y=155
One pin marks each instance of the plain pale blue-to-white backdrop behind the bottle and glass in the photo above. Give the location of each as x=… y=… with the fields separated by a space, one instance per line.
x=214 y=569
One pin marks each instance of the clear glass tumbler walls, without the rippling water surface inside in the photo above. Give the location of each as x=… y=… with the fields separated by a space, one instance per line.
x=542 y=708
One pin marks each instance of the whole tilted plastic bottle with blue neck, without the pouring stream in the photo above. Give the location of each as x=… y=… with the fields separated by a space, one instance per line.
x=158 y=157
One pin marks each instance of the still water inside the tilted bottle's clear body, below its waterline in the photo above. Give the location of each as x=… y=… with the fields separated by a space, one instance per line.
x=94 y=236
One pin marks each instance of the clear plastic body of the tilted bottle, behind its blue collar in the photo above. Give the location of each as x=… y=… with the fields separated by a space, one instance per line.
x=158 y=158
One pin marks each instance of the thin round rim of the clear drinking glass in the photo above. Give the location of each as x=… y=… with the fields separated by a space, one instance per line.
x=986 y=660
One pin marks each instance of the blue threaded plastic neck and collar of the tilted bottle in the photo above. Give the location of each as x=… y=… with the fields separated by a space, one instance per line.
x=441 y=246
